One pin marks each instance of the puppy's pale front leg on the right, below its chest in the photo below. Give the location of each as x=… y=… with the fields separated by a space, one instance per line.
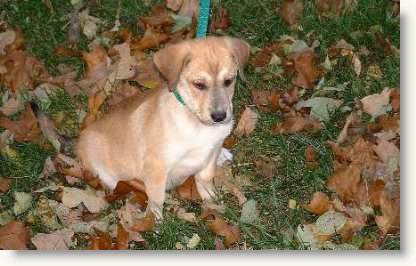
x=204 y=178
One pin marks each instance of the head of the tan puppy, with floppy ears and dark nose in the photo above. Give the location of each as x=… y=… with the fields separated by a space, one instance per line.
x=204 y=72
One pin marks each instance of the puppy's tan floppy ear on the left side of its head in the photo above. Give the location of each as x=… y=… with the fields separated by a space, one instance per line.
x=170 y=61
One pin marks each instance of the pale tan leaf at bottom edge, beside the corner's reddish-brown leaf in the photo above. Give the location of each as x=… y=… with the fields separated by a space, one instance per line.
x=58 y=240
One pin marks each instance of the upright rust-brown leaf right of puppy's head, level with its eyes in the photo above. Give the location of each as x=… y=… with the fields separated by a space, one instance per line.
x=307 y=72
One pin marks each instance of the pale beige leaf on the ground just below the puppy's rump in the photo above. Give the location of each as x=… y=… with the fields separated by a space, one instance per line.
x=72 y=197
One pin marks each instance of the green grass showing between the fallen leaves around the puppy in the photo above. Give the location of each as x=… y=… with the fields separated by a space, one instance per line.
x=259 y=24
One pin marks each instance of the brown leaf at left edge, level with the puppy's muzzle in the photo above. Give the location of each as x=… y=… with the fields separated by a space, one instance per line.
x=24 y=129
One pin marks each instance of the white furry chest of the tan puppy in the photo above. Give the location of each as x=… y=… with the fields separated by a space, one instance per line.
x=191 y=149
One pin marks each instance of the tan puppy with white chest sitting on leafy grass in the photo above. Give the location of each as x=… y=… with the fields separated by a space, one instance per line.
x=160 y=141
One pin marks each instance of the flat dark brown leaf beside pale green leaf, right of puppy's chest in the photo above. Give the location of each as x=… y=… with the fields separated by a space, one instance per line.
x=297 y=123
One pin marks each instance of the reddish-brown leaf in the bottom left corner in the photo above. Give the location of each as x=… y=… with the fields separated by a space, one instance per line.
x=14 y=236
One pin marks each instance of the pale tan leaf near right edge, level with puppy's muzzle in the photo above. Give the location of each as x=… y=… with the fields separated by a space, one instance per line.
x=377 y=104
